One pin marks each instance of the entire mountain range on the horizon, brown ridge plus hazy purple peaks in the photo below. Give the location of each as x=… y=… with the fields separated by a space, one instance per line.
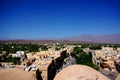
x=110 y=38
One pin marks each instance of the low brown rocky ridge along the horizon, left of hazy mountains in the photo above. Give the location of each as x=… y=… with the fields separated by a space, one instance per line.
x=40 y=42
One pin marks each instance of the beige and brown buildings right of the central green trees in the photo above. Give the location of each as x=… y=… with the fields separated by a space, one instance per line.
x=108 y=59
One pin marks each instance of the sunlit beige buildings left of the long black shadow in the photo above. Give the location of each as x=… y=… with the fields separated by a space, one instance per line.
x=43 y=59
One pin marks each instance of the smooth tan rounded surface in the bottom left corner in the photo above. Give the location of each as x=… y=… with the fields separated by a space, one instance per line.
x=15 y=74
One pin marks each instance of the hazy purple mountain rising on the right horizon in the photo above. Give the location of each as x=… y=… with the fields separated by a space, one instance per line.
x=110 y=38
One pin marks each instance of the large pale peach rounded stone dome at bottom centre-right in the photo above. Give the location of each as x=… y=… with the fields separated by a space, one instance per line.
x=79 y=72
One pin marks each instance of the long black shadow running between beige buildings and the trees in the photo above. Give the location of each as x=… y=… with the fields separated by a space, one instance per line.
x=56 y=64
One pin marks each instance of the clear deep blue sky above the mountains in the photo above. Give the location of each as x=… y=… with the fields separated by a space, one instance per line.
x=36 y=19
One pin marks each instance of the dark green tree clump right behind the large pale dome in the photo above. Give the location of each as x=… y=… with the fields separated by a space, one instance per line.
x=83 y=58
